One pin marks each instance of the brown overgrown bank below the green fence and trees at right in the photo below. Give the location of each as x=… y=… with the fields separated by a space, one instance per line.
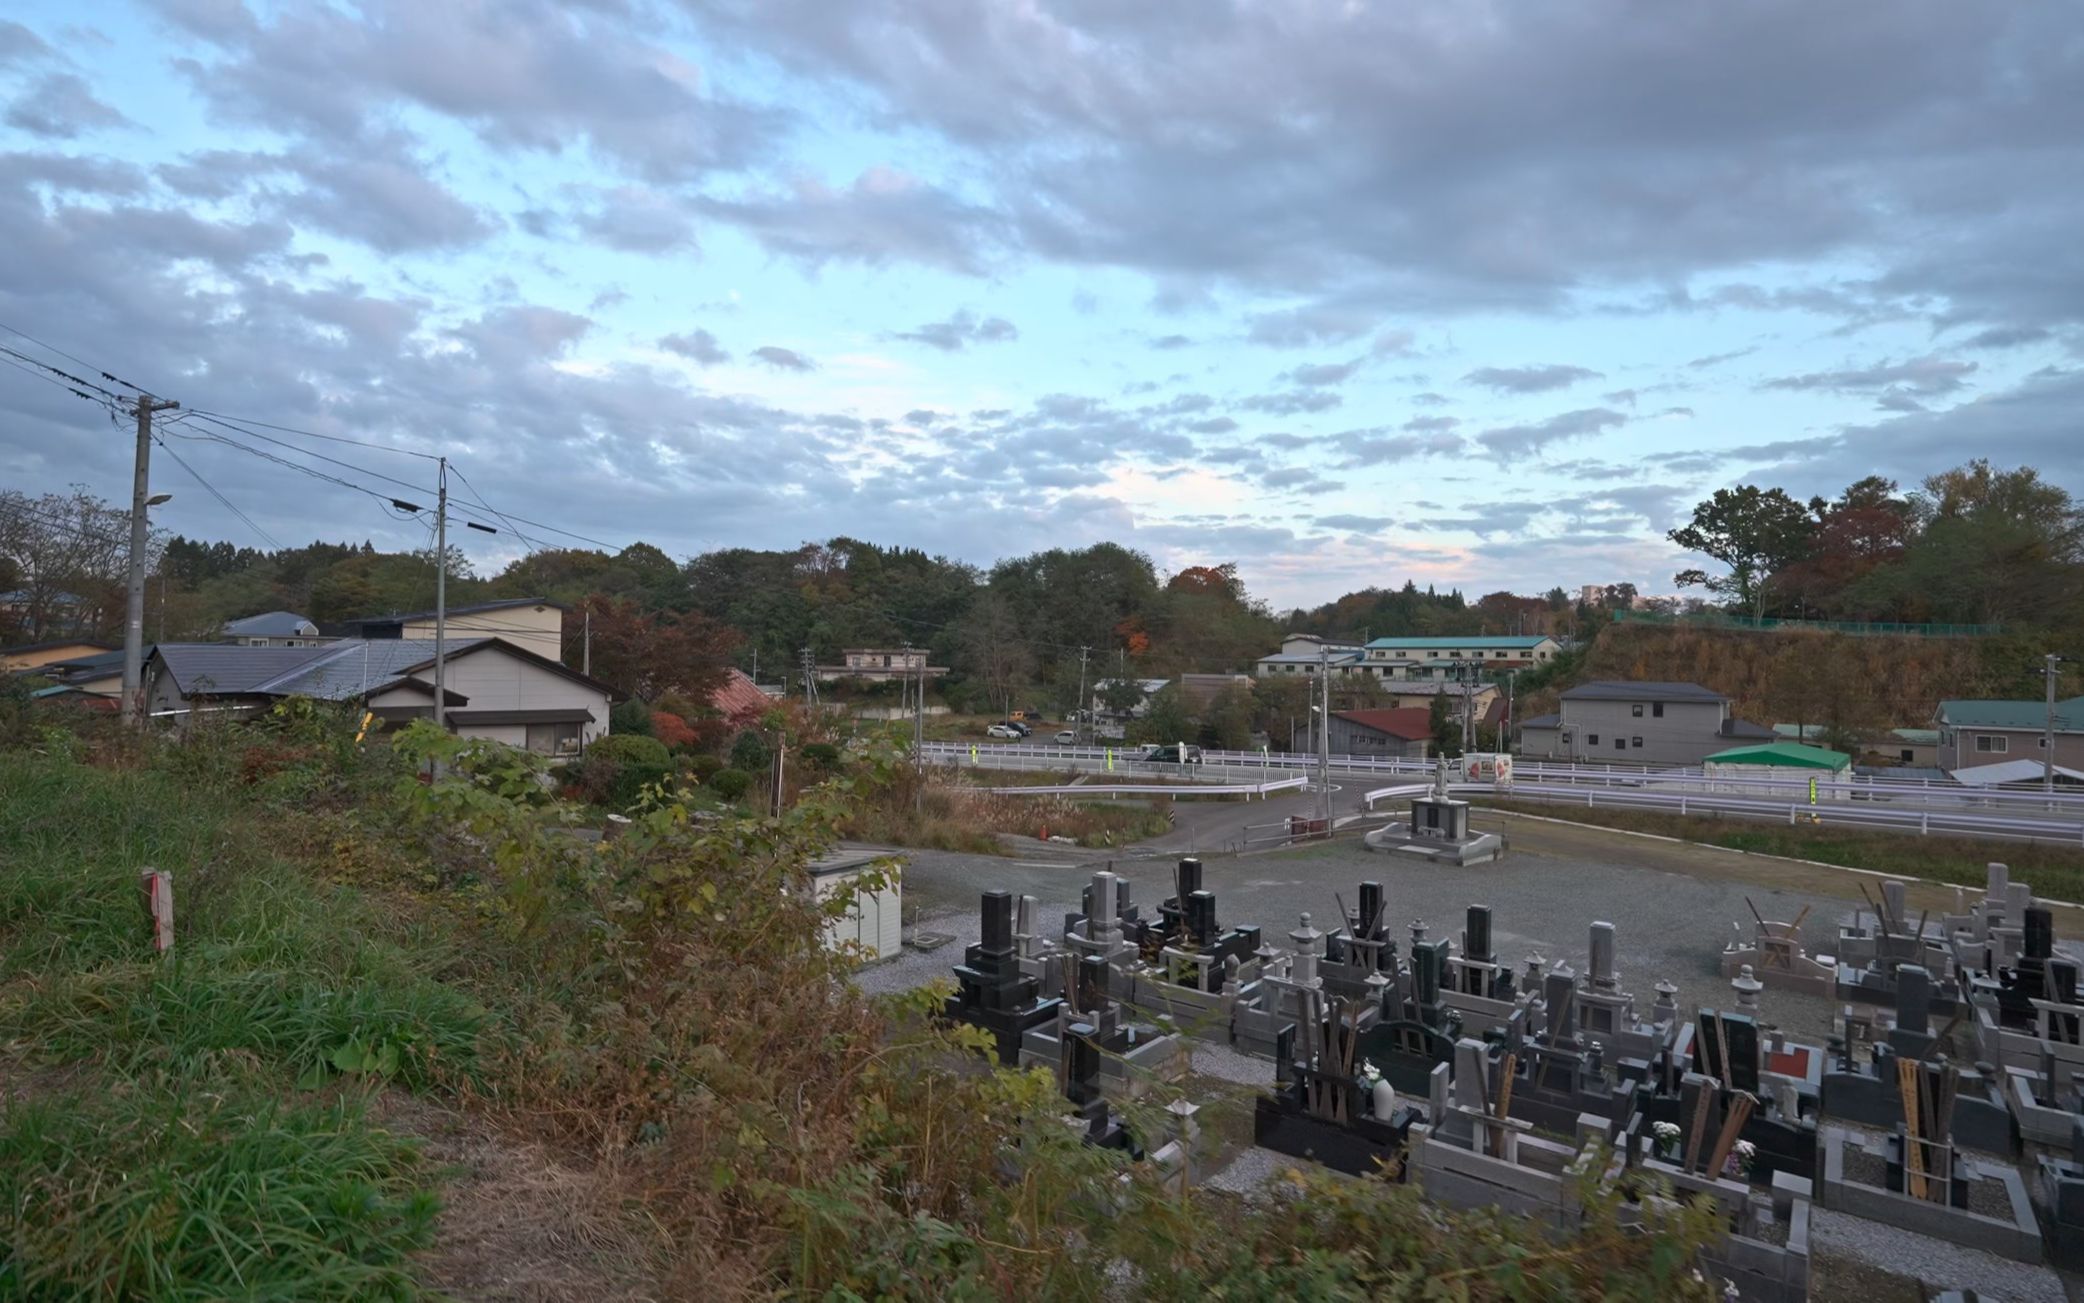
x=1781 y=677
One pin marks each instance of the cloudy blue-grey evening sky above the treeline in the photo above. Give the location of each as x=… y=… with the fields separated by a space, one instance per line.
x=1481 y=295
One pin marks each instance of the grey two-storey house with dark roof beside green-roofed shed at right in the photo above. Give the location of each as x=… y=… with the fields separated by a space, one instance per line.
x=1639 y=722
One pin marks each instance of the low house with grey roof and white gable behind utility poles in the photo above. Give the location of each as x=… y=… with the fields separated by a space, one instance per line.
x=493 y=689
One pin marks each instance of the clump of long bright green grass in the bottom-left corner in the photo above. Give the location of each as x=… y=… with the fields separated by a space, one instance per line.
x=205 y=1194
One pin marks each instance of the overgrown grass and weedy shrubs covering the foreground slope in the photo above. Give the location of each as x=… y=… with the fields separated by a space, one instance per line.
x=662 y=1008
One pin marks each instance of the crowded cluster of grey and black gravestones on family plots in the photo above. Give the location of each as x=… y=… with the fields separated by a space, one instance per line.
x=1947 y=1098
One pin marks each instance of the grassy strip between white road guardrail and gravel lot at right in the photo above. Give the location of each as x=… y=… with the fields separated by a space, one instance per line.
x=2056 y=872
